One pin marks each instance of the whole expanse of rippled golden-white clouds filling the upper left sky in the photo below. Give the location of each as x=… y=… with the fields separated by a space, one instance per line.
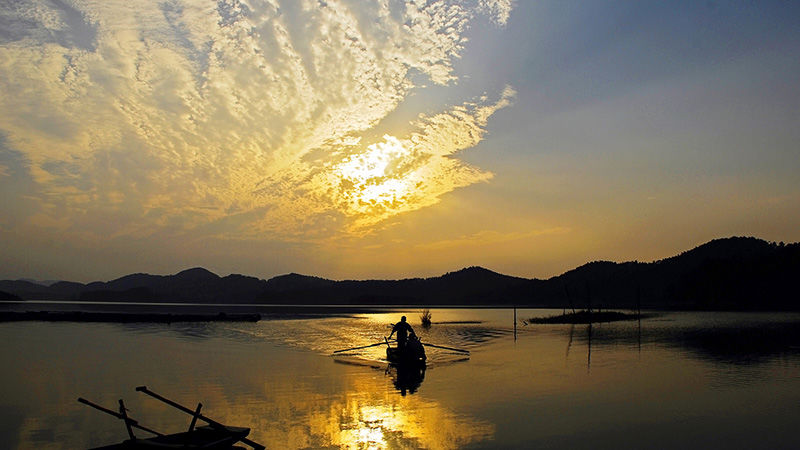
x=187 y=114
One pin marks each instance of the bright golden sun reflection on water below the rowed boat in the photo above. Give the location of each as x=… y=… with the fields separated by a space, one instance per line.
x=366 y=415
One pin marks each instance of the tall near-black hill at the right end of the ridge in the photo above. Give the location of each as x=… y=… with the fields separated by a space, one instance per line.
x=739 y=273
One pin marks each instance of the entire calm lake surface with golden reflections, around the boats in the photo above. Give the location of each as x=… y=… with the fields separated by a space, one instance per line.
x=673 y=380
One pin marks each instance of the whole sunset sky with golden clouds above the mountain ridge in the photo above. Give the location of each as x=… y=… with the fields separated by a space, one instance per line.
x=390 y=139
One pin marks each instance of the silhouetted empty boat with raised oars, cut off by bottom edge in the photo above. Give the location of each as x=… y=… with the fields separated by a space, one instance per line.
x=212 y=436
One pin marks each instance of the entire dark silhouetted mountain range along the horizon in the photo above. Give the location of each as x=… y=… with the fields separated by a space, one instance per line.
x=739 y=273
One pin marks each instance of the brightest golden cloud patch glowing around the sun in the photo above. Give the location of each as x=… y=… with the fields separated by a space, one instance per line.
x=363 y=185
